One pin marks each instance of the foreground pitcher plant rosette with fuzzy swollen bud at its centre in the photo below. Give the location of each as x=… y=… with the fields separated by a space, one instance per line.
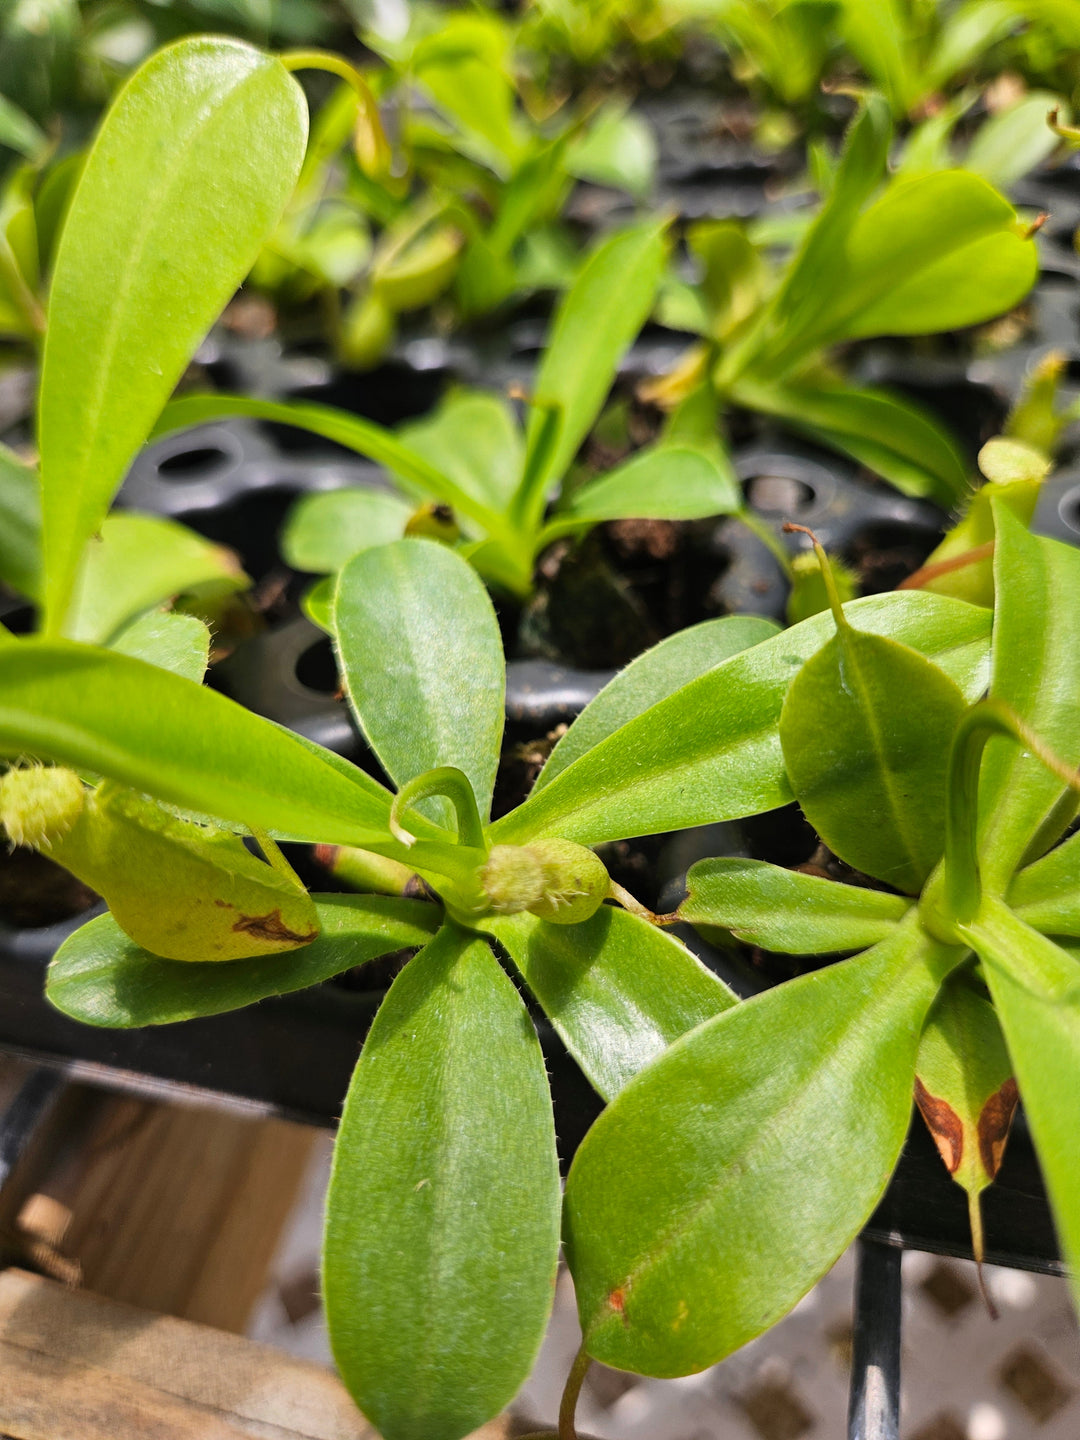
x=451 y=1082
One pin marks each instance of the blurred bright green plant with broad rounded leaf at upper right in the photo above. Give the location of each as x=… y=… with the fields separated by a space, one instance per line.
x=909 y=254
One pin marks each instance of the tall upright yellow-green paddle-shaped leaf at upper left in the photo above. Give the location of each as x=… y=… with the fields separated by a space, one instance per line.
x=186 y=181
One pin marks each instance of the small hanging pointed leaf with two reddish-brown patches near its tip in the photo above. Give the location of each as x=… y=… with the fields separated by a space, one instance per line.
x=966 y=1091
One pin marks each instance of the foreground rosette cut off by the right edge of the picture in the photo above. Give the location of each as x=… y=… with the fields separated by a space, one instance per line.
x=726 y=1179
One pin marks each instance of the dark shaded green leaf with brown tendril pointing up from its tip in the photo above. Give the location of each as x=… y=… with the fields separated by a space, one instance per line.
x=866 y=731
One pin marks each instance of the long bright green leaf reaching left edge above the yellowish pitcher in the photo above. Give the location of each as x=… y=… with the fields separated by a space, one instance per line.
x=165 y=737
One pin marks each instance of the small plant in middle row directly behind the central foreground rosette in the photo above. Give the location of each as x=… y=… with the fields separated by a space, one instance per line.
x=496 y=483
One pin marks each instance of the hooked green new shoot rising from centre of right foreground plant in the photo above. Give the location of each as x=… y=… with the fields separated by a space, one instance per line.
x=984 y=721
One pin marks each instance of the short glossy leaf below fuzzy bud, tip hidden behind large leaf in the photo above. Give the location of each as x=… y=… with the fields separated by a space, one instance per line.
x=617 y=990
